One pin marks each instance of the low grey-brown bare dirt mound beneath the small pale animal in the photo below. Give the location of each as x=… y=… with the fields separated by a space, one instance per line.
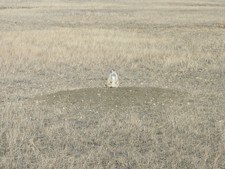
x=119 y=97
